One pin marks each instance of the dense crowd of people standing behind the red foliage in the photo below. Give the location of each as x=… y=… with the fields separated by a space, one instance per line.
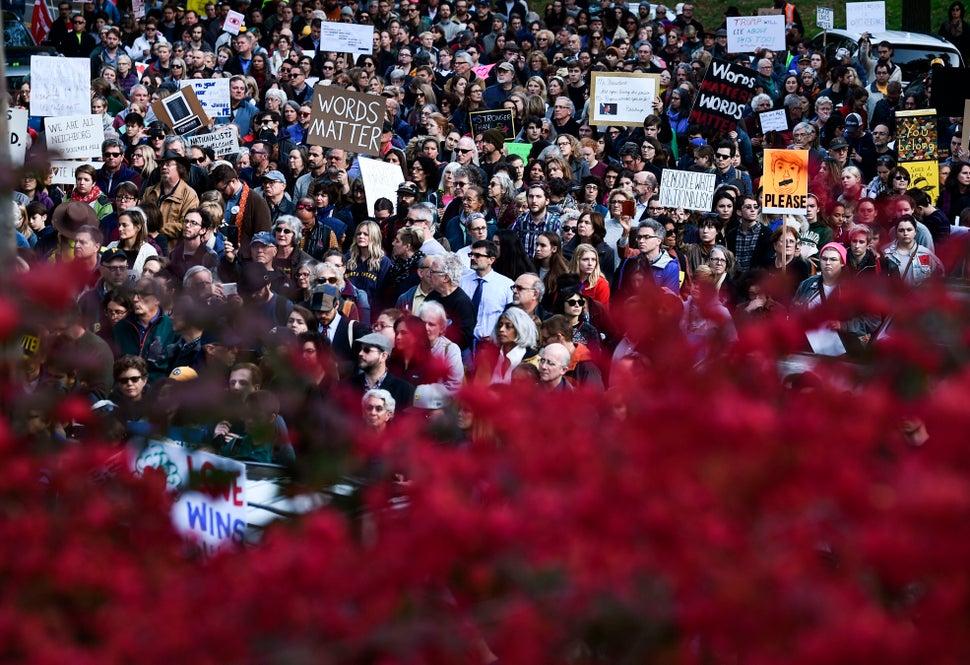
x=489 y=268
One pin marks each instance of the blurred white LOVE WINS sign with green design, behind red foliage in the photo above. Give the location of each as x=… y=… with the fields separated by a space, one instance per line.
x=210 y=507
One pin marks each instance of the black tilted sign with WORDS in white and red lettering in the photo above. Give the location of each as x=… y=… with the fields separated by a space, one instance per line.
x=722 y=97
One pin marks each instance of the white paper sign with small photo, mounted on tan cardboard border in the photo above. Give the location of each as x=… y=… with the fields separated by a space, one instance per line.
x=623 y=100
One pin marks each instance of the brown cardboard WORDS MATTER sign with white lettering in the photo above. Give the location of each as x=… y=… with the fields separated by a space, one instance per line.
x=346 y=119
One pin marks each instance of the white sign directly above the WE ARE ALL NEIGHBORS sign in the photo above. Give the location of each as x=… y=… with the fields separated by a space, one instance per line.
x=59 y=86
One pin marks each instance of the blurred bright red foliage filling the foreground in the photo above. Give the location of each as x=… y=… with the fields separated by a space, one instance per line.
x=724 y=519
